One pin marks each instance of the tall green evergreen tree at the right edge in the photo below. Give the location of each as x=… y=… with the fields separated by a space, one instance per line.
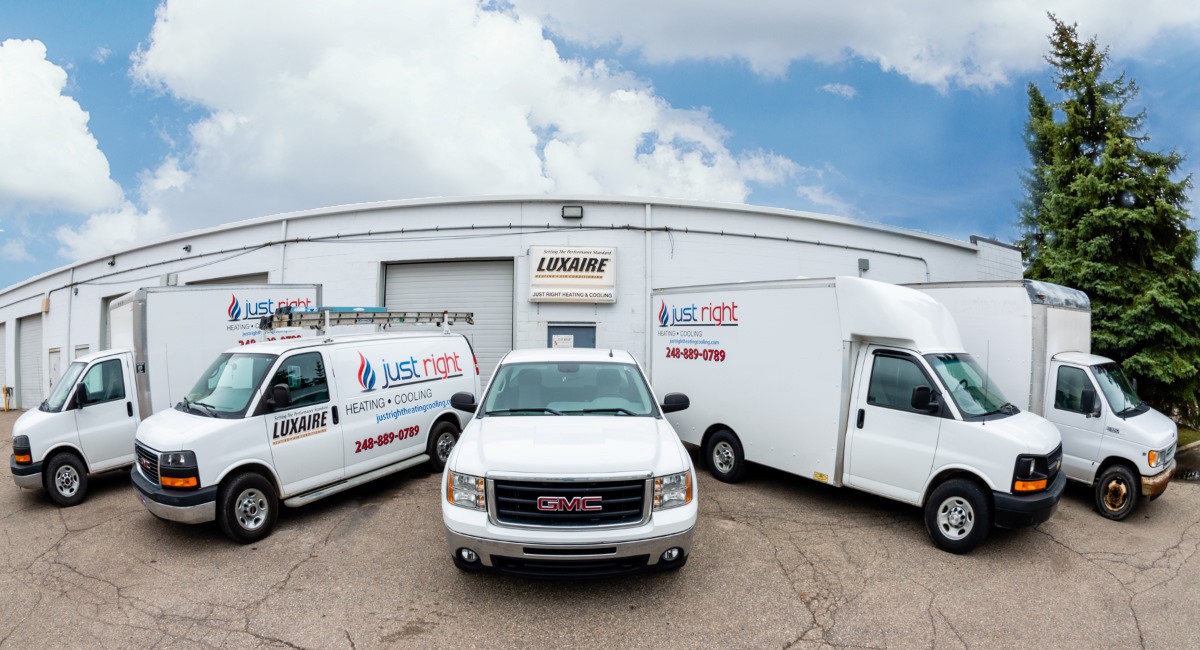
x=1102 y=214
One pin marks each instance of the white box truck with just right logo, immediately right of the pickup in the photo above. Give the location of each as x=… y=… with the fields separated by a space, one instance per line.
x=854 y=383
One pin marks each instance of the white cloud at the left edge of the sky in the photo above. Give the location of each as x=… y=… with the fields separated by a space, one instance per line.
x=49 y=158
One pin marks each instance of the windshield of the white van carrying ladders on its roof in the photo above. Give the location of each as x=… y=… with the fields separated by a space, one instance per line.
x=226 y=388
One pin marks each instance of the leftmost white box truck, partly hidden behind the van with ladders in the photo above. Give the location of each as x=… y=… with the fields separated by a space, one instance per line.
x=163 y=339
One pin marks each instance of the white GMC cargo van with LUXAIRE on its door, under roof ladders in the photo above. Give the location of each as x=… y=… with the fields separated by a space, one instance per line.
x=297 y=422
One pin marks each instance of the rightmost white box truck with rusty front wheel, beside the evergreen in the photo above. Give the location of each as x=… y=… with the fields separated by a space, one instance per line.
x=1036 y=339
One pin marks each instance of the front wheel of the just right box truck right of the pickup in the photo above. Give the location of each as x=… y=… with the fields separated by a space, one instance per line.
x=958 y=516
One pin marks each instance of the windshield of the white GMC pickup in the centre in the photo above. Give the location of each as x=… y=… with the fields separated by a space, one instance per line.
x=569 y=389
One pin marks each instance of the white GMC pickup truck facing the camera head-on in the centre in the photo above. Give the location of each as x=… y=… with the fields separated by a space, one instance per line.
x=569 y=470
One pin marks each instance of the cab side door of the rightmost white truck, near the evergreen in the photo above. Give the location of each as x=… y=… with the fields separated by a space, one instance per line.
x=1082 y=432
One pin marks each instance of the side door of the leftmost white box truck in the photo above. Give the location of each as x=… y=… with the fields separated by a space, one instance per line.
x=105 y=416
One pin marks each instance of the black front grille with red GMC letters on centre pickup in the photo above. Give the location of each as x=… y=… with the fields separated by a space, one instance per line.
x=569 y=503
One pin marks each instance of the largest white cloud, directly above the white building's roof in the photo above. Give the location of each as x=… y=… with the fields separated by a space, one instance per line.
x=310 y=104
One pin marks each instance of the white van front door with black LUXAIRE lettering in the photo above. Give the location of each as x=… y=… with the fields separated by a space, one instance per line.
x=305 y=438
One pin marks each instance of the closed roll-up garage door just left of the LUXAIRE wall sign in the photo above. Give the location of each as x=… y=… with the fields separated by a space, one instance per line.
x=481 y=287
